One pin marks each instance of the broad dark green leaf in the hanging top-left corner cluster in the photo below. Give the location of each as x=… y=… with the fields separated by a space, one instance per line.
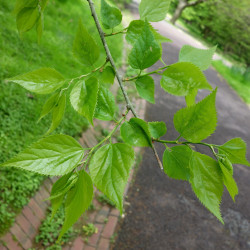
x=26 y=19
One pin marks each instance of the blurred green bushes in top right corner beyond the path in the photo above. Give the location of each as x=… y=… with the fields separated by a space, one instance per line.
x=225 y=23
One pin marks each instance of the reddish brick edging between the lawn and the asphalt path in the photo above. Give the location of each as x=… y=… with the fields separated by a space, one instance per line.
x=22 y=234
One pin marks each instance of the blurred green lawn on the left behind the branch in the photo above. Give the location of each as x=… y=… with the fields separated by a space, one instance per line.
x=19 y=109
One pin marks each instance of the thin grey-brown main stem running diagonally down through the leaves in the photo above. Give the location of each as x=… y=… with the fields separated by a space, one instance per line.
x=110 y=58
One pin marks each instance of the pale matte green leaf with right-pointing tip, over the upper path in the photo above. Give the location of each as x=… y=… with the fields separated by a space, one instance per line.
x=200 y=57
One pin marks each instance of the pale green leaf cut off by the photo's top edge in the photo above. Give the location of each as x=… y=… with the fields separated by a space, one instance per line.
x=154 y=11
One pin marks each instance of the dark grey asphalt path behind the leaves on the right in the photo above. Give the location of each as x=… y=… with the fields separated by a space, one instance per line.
x=164 y=213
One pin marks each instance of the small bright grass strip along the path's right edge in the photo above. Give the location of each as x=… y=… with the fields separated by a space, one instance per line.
x=236 y=77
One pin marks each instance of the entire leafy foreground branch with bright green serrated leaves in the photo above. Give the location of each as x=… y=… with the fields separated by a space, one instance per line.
x=107 y=165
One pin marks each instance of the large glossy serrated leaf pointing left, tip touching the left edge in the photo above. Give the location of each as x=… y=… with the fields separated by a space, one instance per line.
x=54 y=155
